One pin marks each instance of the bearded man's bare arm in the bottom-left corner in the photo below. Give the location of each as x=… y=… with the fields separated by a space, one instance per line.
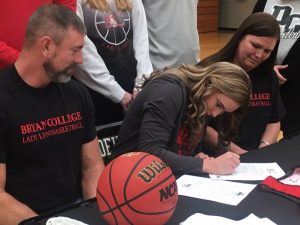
x=12 y=211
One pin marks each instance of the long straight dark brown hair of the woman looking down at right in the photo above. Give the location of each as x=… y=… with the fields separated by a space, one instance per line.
x=257 y=24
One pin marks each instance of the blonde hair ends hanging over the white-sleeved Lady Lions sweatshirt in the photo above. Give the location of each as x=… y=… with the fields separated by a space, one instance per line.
x=103 y=5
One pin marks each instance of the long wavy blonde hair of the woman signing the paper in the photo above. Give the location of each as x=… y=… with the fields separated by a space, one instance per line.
x=223 y=77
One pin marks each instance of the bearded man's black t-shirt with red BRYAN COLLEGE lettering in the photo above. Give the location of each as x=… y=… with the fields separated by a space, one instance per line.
x=41 y=134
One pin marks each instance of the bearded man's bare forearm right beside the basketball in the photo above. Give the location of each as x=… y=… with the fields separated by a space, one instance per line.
x=92 y=167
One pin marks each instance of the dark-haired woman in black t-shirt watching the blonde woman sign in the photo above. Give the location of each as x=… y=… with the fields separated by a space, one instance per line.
x=254 y=47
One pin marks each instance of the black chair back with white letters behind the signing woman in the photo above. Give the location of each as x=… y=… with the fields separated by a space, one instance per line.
x=107 y=135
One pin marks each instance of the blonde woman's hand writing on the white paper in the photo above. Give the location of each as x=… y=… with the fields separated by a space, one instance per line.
x=224 y=164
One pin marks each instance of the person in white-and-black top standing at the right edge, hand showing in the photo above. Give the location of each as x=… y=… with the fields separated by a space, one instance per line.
x=287 y=13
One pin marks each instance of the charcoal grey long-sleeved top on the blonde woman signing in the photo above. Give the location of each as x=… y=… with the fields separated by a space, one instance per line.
x=152 y=125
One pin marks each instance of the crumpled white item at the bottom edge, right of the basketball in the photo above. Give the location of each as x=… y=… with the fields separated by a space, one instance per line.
x=217 y=220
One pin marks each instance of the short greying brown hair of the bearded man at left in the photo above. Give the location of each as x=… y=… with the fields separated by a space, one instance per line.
x=52 y=20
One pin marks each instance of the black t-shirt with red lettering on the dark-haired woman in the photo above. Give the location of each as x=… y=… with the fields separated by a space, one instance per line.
x=265 y=107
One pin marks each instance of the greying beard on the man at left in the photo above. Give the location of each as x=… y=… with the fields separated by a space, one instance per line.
x=57 y=76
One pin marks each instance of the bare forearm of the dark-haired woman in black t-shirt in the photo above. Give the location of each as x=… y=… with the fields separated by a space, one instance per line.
x=270 y=135
